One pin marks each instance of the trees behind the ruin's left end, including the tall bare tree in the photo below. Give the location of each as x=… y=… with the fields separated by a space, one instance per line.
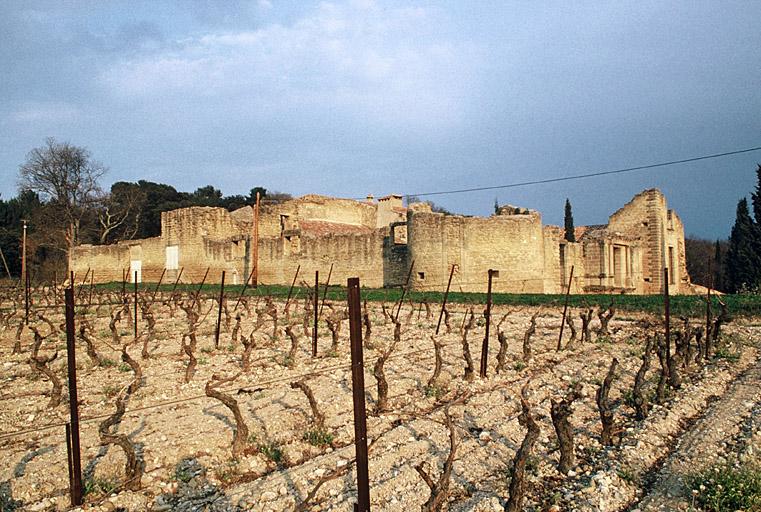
x=61 y=198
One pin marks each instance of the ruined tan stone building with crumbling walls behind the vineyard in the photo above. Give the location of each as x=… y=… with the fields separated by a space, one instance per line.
x=378 y=241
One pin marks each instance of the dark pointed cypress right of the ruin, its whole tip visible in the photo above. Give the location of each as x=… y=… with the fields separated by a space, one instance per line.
x=743 y=262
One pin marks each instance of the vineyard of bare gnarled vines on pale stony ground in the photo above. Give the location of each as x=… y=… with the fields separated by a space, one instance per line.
x=192 y=401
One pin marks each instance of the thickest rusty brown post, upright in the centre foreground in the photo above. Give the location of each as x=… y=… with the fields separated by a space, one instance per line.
x=358 y=394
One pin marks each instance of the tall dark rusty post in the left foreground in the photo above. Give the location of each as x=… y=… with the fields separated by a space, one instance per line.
x=76 y=464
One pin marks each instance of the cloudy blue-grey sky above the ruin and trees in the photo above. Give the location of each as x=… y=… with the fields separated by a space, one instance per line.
x=358 y=97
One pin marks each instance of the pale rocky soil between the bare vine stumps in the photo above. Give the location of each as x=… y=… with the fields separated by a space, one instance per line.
x=183 y=437
